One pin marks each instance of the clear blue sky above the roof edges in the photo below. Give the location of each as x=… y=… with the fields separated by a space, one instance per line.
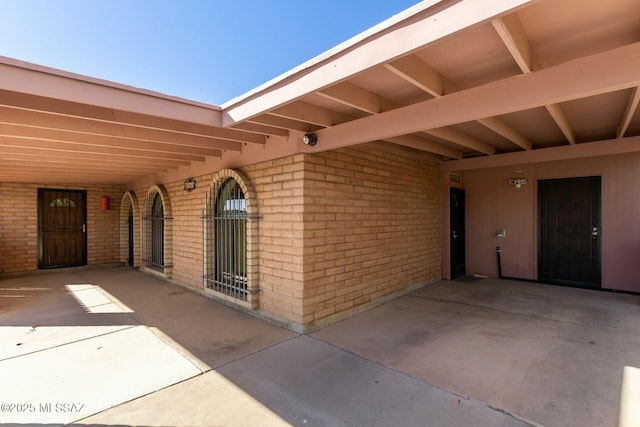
x=205 y=50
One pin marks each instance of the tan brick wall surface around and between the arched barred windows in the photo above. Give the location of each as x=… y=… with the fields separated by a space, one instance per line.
x=279 y=188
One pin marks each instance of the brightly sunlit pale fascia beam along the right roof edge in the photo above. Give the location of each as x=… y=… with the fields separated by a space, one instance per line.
x=422 y=25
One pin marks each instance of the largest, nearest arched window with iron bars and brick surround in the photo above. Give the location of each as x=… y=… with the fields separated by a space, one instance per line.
x=230 y=268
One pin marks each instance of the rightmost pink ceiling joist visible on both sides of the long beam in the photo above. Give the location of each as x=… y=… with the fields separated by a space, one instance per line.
x=515 y=39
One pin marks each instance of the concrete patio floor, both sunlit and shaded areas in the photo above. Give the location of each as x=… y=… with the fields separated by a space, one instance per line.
x=113 y=346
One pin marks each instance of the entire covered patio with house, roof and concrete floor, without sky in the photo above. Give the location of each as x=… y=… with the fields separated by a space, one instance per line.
x=332 y=207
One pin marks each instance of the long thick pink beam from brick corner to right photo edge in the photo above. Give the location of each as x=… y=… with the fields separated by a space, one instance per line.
x=584 y=77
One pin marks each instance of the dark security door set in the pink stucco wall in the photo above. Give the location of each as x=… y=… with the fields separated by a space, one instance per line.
x=569 y=231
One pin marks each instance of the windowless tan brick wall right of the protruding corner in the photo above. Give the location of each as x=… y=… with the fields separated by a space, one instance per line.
x=371 y=228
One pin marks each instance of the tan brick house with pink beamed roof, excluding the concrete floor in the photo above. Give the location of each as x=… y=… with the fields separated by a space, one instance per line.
x=507 y=104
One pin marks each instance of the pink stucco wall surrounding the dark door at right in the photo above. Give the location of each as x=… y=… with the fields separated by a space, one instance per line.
x=493 y=204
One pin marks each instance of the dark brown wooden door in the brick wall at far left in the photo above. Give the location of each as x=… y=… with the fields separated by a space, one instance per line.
x=62 y=228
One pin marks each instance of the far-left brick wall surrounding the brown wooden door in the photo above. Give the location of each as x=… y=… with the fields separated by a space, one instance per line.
x=19 y=225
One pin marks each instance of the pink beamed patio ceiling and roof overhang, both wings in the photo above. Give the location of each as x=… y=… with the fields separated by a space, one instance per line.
x=465 y=80
